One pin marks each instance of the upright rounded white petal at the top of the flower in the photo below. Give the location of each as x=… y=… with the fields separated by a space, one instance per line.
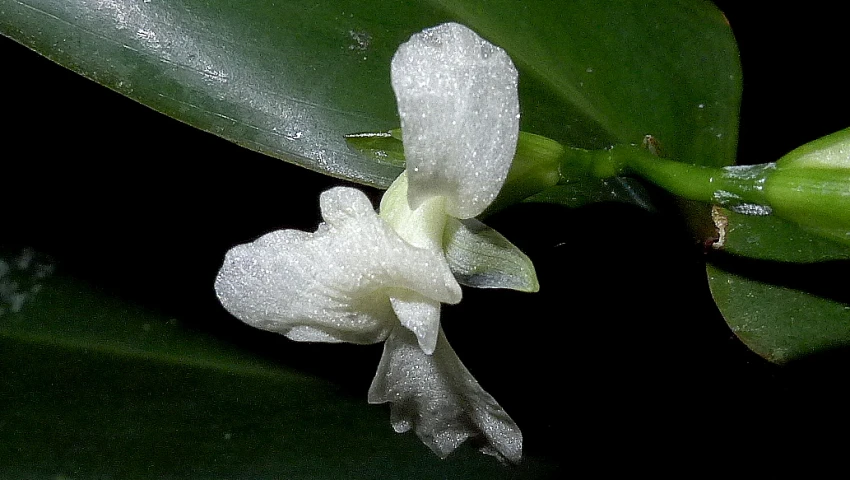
x=459 y=108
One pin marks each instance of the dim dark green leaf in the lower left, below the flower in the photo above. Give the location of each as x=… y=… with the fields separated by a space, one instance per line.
x=97 y=387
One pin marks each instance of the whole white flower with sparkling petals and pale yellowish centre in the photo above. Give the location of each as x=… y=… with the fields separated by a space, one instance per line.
x=365 y=278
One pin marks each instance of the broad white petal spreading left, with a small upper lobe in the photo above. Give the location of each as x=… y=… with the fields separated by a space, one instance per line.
x=333 y=285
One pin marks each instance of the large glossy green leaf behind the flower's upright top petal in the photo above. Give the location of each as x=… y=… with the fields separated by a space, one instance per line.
x=291 y=81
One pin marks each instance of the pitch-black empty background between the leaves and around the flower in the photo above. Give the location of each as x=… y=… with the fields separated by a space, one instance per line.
x=623 y=338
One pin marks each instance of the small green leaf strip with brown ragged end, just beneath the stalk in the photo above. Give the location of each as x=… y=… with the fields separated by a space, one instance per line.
x=770 y=238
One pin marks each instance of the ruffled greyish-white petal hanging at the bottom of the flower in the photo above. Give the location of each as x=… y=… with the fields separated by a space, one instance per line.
x=438 y=398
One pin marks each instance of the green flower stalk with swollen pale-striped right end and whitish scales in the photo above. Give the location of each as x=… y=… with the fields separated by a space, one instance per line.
x=809 y=186
